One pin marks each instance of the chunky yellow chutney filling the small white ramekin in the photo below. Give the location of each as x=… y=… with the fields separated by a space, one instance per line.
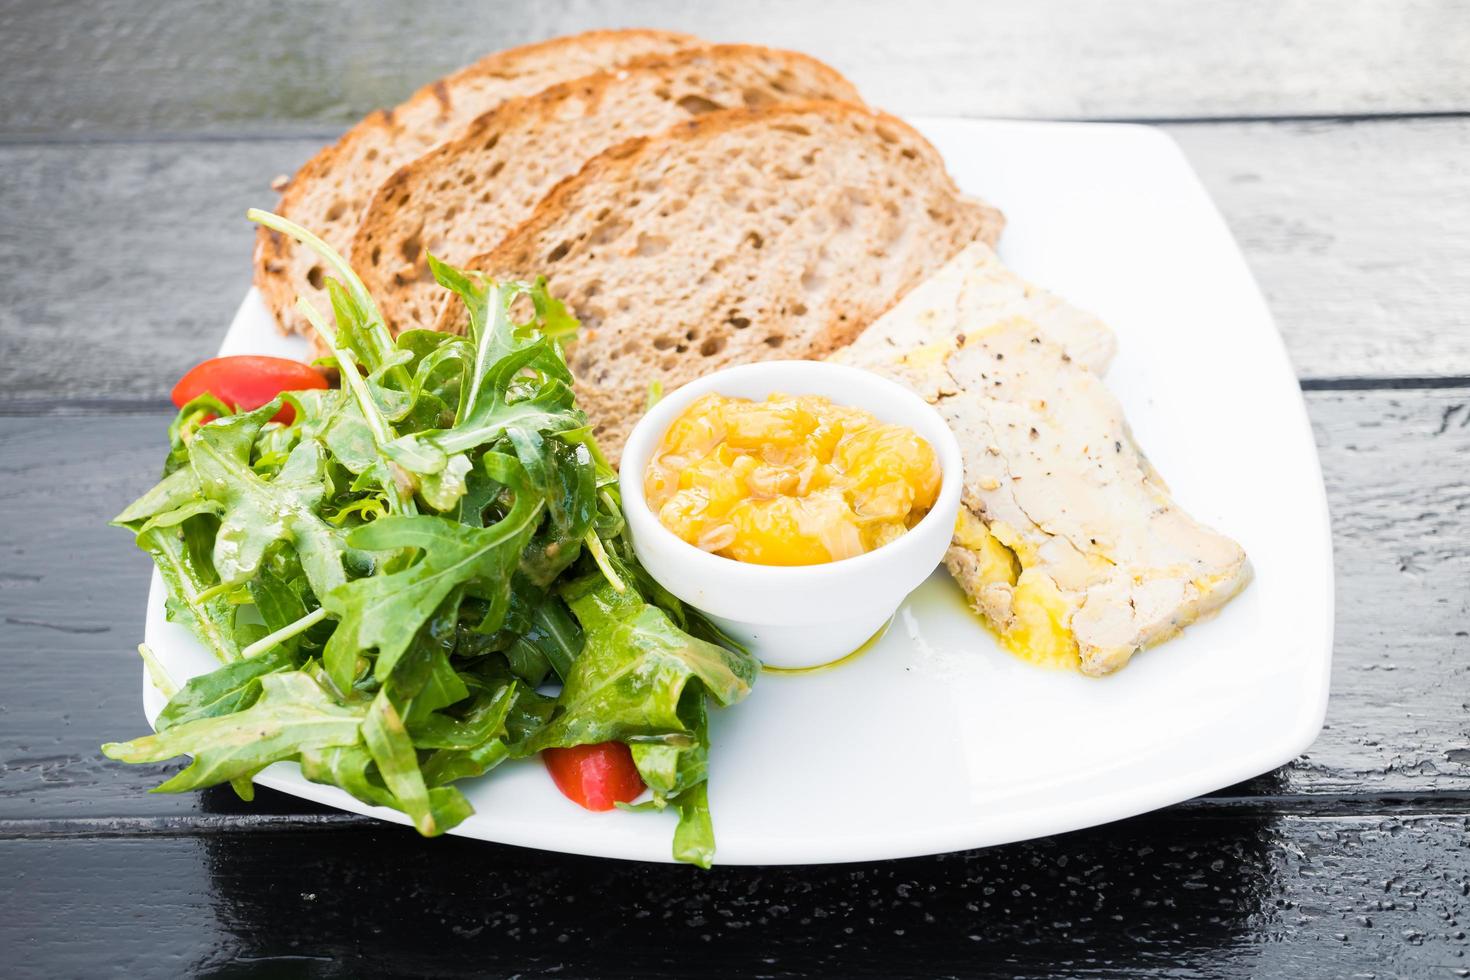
x=793 y=480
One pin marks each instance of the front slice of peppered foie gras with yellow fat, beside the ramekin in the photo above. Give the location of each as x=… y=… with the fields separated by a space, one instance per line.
x=1068 y=541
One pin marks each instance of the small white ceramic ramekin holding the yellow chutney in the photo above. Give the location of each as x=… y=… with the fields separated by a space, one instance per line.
x=799 y=616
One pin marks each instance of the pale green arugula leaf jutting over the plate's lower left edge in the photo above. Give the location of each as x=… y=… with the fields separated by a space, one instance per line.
x=292 y=715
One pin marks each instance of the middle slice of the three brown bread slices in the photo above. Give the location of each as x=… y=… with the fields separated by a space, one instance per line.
x=461 y=199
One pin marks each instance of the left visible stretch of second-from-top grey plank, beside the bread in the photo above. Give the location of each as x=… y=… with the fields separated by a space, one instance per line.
x=127 y=262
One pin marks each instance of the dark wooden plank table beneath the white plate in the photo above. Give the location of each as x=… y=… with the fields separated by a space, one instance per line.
x=1335 y=139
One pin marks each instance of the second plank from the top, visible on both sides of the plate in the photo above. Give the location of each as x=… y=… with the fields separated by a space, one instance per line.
x=139 y=253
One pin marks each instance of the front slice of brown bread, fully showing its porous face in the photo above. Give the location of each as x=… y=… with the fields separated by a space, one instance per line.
x=742 y=236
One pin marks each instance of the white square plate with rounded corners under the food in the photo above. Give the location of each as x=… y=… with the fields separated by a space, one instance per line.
x=937 y=740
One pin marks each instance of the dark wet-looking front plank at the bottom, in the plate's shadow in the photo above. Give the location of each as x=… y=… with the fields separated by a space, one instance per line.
x=1164 y=897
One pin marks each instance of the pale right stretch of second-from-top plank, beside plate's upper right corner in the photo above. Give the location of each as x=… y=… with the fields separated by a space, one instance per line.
x=1359 y=234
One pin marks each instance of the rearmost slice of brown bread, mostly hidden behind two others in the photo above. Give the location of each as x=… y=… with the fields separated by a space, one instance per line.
x=329 y=195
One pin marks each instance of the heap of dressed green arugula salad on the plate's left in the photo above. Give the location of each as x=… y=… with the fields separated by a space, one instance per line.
x=398 y=580
